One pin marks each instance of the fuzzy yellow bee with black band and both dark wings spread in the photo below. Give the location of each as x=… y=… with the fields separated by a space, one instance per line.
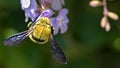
x=39 y=32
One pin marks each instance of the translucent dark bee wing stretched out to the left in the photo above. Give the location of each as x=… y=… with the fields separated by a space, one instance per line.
x=17 y=38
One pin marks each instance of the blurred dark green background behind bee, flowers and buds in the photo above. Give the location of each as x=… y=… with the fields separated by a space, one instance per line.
x=86 y=44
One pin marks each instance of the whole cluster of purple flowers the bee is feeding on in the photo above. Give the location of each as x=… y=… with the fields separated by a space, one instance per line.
x=59 y=23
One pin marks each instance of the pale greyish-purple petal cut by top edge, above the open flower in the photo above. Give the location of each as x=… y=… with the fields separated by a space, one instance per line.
x=57 y=4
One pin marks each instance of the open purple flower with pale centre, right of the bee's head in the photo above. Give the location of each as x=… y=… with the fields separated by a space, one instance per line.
x=60 y=22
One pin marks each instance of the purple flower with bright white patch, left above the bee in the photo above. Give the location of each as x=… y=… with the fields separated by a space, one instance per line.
x=29 y=7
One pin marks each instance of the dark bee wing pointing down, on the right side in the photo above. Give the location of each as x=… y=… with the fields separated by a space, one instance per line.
x=57 y=53
